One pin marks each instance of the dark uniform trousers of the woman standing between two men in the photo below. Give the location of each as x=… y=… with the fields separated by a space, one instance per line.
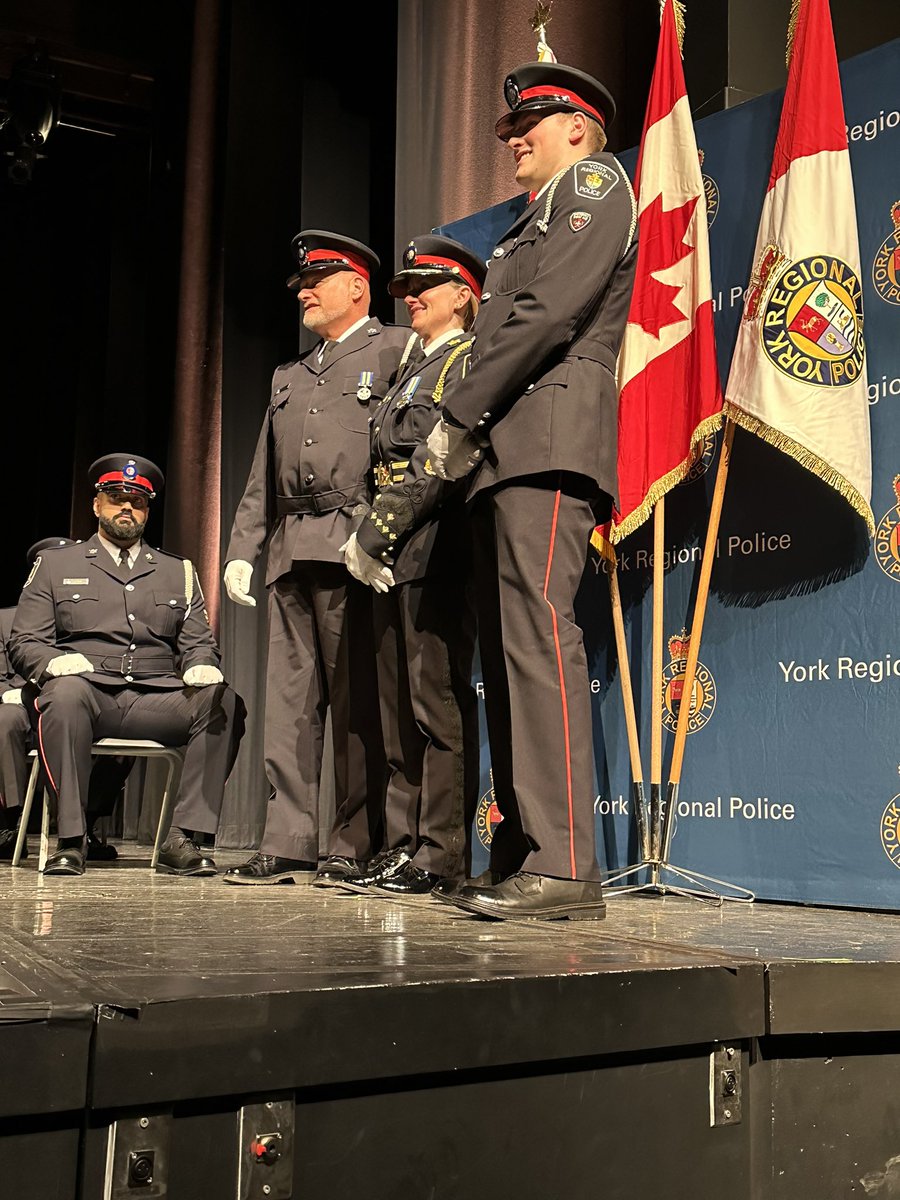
x=425 y=641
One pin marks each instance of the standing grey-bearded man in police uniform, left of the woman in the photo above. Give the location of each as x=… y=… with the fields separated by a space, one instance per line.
x=308 y=475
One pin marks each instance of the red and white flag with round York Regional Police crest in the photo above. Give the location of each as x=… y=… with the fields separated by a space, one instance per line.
x=799 y=374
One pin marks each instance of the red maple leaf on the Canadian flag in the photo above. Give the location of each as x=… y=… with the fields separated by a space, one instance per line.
x=662 y=245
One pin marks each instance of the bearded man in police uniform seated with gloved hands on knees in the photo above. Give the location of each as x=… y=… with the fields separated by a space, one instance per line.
x=116 y=635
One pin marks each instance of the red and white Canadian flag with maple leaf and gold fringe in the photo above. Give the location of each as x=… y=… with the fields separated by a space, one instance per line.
x=669 y=380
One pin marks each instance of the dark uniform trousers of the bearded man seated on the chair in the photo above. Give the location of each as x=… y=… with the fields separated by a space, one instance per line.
x=75 y=712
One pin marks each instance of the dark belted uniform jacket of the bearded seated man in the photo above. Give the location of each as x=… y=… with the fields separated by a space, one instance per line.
x=145 y=627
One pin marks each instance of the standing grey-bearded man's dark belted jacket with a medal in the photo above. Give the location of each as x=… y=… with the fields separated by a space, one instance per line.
x=313 y=455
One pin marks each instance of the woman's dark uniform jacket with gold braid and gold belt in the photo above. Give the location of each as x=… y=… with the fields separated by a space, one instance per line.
x=416 y=521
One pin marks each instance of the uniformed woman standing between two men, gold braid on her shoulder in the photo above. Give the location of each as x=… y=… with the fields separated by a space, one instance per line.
x=425 y=623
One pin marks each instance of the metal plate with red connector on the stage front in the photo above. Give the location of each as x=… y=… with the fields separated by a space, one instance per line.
x=266 y=1151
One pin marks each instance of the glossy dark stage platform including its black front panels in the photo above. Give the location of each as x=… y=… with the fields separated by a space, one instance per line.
x=125 y=993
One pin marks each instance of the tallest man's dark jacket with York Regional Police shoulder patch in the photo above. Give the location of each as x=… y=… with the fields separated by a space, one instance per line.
x=542 y=386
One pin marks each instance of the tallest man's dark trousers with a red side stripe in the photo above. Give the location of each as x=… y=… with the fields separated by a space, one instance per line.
x=531 y=547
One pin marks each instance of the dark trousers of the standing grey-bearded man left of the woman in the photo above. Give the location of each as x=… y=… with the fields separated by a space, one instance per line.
x=321 y=653
